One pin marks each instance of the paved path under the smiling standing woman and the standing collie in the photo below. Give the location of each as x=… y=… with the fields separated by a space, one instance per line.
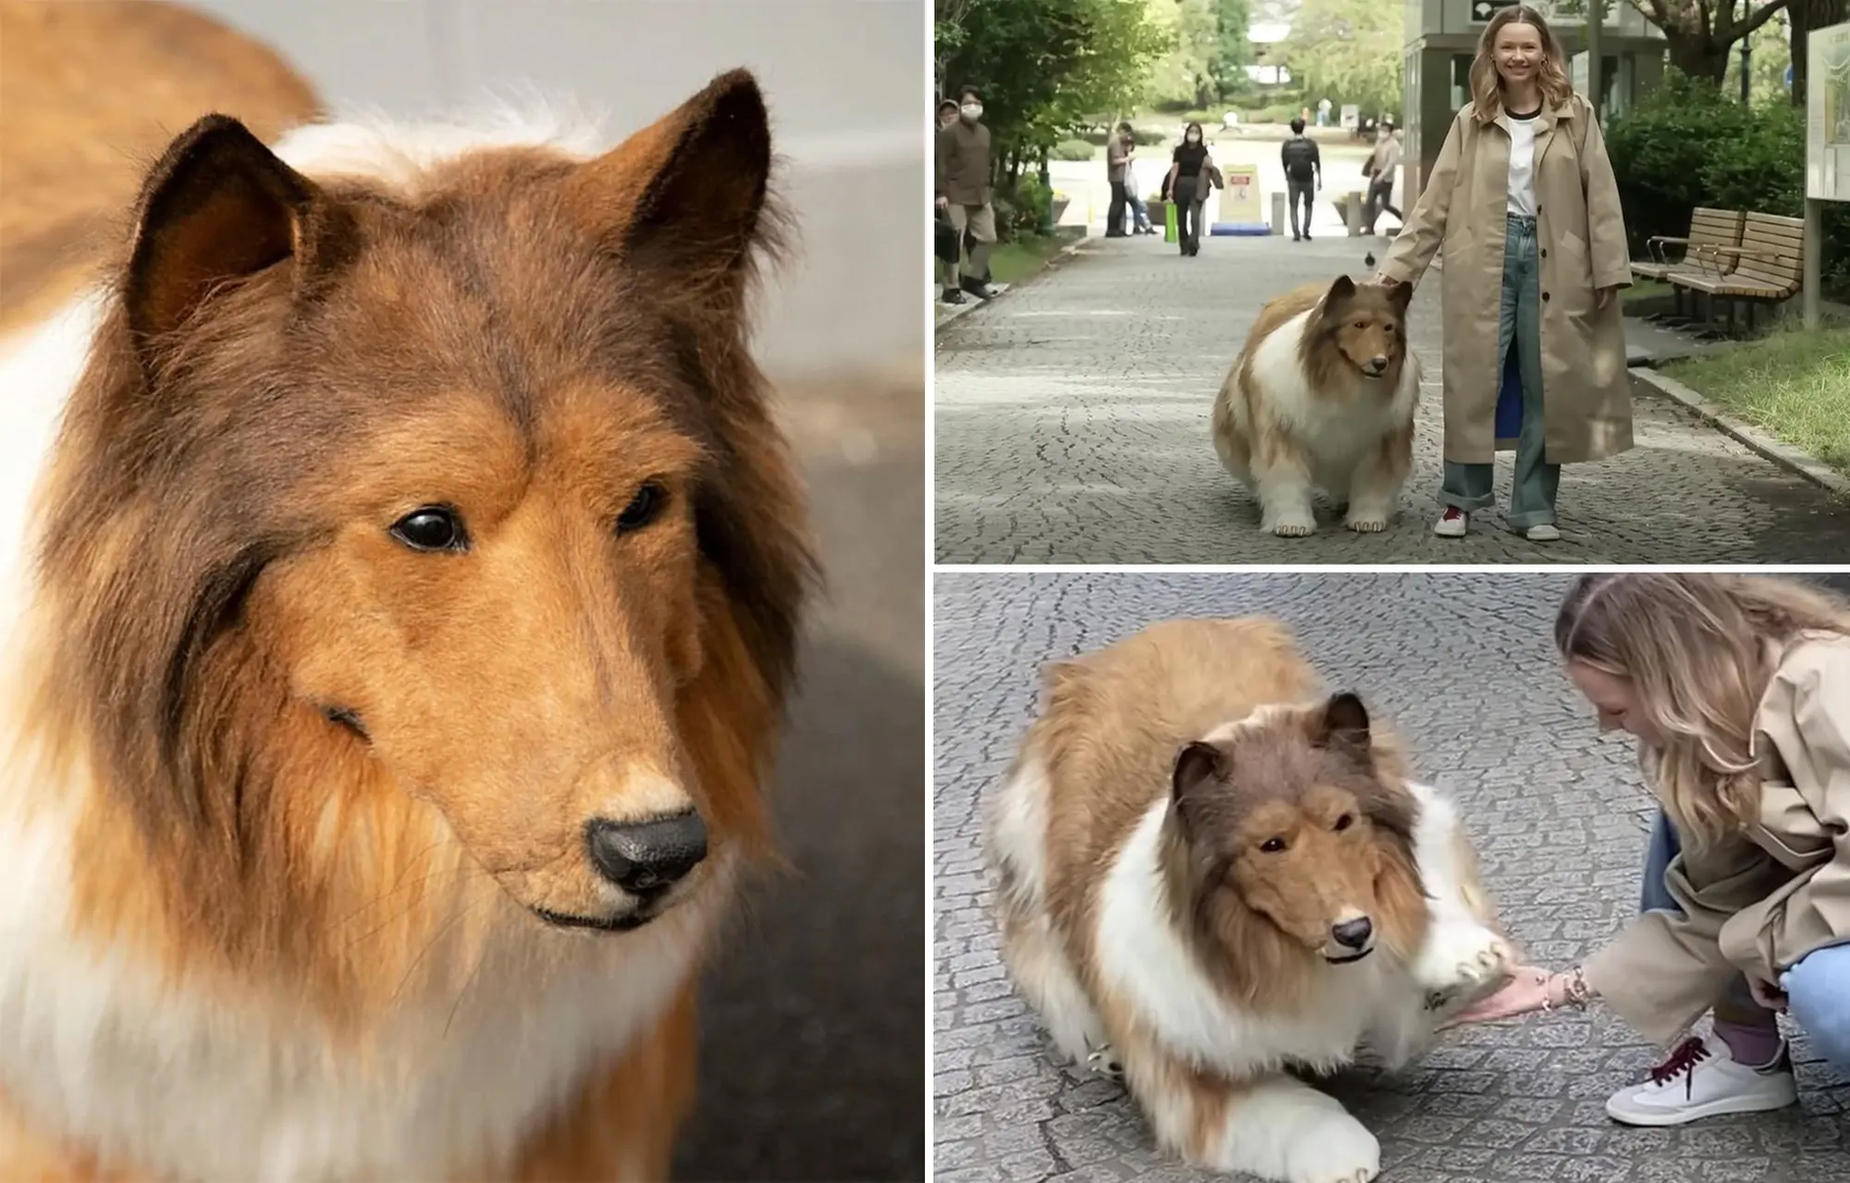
x=1072 y=427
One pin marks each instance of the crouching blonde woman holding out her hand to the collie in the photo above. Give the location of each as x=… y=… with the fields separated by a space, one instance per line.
x=1738 y=691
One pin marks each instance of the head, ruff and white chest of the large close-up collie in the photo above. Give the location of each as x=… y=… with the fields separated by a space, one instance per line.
x=297 y=864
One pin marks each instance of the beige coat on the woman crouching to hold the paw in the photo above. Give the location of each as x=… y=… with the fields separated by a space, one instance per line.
x=1764 y=899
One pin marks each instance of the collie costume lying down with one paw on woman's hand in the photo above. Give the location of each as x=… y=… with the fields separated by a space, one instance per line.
x=1189 y=847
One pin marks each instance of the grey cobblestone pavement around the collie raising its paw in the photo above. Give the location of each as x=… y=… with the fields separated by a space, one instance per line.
x=1462 y=667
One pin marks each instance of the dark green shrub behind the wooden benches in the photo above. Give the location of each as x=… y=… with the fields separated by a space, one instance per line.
x=1692 y=145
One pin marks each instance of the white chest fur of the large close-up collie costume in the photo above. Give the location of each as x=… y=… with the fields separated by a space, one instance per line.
x=97 y=1047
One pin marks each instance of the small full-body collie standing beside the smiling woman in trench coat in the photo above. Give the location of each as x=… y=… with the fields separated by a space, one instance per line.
x=1324 y=397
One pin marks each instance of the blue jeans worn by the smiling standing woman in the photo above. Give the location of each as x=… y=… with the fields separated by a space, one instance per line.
x=1520 y=327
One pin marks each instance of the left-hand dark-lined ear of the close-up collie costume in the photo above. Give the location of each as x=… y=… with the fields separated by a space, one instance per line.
x=217 y=208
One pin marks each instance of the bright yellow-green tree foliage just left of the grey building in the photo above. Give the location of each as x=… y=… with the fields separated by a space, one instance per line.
x=1348 y=51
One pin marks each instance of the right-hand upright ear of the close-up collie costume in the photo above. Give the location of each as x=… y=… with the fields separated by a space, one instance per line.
x=687 y=195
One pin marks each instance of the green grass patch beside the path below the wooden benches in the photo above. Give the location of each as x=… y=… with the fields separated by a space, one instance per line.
x=1792 y=384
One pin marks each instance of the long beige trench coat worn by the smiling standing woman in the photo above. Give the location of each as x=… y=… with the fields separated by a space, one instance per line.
x=1581 y=247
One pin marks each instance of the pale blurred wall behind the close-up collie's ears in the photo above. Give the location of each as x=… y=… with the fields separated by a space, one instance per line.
x=846 y=82
